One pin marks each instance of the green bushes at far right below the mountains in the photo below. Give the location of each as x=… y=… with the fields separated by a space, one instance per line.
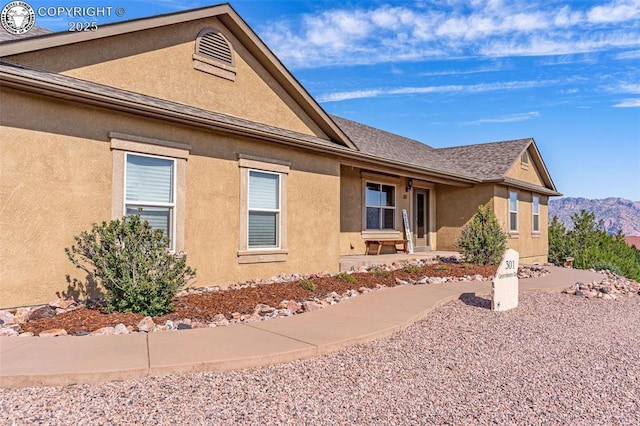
x=591 y=247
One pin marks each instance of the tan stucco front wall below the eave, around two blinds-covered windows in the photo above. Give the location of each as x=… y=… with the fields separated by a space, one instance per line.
x=55 y=181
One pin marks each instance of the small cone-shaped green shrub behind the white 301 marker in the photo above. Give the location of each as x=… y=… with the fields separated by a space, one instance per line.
x=483 y=241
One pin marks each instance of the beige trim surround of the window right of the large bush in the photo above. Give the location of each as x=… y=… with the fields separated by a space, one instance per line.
x=248 y=254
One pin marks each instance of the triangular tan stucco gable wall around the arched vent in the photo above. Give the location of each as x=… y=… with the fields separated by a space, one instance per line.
x=158 y=62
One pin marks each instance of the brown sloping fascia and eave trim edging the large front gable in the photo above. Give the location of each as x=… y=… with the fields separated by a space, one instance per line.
x=230 y=18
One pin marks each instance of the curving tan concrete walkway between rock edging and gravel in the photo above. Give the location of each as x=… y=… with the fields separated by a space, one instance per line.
x=36 y=361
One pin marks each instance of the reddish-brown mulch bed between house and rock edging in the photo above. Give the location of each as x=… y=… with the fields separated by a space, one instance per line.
x=203 y=307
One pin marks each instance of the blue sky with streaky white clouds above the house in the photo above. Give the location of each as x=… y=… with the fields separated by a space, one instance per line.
x=449 y=72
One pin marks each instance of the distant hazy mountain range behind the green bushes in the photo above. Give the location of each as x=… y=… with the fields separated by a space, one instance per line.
x=617 y=214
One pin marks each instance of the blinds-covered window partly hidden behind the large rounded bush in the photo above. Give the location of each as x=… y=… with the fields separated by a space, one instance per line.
x=149 y=185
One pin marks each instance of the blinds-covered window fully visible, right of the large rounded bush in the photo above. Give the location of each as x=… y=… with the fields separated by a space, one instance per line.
x=264 y=209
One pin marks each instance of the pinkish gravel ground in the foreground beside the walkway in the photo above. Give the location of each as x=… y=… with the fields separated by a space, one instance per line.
x=556 y=359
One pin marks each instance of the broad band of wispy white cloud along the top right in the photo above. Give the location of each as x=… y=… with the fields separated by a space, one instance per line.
x=445 y=29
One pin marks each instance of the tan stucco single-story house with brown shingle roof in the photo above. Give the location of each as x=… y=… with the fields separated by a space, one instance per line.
x=191 y=117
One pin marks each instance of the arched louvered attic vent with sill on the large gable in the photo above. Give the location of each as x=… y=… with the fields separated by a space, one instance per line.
x=214 y=54
